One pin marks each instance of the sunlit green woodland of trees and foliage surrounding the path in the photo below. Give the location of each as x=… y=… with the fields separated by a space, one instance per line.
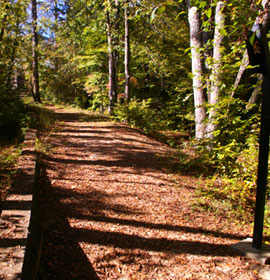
x=159 y=65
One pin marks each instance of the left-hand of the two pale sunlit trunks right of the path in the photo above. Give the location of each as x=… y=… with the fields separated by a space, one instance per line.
x=197 y=71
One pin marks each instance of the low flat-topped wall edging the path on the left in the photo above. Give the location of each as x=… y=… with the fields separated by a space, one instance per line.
x=20 y=257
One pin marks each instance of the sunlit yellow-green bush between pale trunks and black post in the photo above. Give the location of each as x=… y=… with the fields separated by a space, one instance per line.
x=233 y=152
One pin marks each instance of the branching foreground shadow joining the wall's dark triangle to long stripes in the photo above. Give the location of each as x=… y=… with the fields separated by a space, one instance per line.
x=63 y=258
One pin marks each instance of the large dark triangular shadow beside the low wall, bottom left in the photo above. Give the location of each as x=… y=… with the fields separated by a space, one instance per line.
x=62 y=256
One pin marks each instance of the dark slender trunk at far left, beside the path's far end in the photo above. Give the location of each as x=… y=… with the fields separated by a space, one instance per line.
x=36 y=94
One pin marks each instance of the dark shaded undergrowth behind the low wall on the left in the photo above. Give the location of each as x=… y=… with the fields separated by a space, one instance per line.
x=16 y=117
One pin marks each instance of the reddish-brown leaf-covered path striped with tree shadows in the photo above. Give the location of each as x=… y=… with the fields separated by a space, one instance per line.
x=111 y=210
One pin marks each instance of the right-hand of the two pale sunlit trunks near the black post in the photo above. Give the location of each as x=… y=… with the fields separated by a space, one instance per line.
x=215 y=77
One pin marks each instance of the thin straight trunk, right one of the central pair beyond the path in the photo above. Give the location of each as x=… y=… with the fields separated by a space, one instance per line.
x=127 y=53
